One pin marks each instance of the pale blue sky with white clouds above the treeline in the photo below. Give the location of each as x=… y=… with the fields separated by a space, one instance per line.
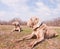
x=24 y=9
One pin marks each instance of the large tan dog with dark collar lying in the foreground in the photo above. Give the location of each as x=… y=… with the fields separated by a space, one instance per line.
x=40 y=30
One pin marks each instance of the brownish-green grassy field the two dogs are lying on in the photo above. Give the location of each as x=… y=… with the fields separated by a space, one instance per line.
x=7 y=37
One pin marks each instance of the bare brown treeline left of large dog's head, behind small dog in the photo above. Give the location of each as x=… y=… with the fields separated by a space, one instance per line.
x=13 y=20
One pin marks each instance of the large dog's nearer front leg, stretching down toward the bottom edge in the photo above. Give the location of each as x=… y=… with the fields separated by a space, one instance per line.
x=40 y=37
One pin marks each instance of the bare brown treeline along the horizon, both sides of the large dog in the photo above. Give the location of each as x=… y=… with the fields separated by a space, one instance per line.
x=54 y=22
